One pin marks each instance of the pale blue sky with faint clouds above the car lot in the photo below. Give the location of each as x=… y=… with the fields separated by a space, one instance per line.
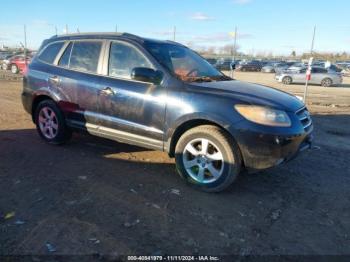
x=275 y=26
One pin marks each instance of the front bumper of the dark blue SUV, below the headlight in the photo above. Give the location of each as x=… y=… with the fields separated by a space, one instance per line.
x=261 y=151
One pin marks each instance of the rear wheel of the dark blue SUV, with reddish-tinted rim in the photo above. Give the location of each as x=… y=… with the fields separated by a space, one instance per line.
x=50 y=123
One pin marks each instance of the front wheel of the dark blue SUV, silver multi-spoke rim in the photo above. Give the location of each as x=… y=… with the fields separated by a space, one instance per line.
x=208 y=158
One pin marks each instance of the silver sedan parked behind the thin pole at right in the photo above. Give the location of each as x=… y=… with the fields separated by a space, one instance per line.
x=319 y=76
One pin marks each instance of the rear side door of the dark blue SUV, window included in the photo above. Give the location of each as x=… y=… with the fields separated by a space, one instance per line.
x=76 y=78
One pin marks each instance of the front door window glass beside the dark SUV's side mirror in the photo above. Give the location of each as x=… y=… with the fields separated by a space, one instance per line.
x=123 y=59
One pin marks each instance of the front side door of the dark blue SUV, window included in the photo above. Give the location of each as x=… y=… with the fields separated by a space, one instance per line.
x=131 y=111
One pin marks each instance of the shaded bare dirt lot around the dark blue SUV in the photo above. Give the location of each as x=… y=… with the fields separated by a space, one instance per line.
x=94 y=196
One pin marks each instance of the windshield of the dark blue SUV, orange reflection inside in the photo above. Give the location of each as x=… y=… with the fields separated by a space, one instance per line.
x=184 y=63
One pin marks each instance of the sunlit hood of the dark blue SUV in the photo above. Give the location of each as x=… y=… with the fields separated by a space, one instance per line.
x=250 y=94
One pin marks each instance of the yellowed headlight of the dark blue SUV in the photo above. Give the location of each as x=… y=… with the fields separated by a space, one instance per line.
x=263 y=115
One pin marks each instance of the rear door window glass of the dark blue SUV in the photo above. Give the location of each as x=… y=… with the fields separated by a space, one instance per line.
x=85 y=56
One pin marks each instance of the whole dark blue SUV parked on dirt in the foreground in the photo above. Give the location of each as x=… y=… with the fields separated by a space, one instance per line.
x=162 y=95
